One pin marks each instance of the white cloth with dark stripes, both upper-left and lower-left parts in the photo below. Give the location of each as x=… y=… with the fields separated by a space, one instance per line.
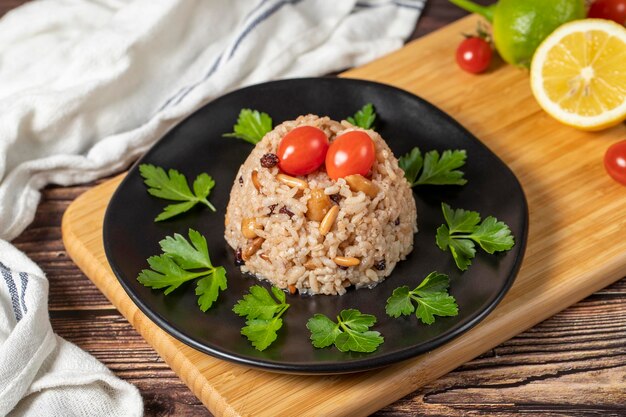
x=87 y=86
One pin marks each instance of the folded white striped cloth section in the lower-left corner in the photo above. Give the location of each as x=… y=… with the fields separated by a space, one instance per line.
x=40 y=373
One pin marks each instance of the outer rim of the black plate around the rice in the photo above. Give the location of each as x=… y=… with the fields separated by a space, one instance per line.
x=326 y=368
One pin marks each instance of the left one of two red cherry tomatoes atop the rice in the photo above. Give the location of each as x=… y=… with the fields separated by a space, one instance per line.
x=302 y=150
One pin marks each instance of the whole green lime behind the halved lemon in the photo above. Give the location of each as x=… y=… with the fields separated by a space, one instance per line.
x=519 y=26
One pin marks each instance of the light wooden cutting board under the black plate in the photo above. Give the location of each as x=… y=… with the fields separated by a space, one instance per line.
x=576 y=242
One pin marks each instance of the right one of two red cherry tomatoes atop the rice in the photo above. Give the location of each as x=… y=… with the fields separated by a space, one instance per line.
x=349 y=154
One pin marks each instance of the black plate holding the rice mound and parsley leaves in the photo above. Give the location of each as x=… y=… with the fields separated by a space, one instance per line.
x=405 y=121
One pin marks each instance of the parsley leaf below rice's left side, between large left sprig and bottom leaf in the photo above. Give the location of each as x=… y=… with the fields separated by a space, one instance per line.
x=262 y=314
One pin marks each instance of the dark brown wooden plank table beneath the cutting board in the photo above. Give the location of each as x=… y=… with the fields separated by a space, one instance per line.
x=584 y=346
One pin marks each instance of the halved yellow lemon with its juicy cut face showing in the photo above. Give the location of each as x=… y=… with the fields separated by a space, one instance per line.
x=578 y=74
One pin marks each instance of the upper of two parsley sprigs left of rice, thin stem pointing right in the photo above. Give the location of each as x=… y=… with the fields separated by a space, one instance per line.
x=173 y=186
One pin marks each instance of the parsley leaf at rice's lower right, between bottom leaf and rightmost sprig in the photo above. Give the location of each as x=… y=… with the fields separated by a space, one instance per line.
x=431 y=296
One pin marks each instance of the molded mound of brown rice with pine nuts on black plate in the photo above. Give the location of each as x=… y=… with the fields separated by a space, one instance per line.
x=293 y=254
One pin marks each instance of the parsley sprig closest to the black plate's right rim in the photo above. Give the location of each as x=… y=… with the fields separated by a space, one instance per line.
x=463 y=231
